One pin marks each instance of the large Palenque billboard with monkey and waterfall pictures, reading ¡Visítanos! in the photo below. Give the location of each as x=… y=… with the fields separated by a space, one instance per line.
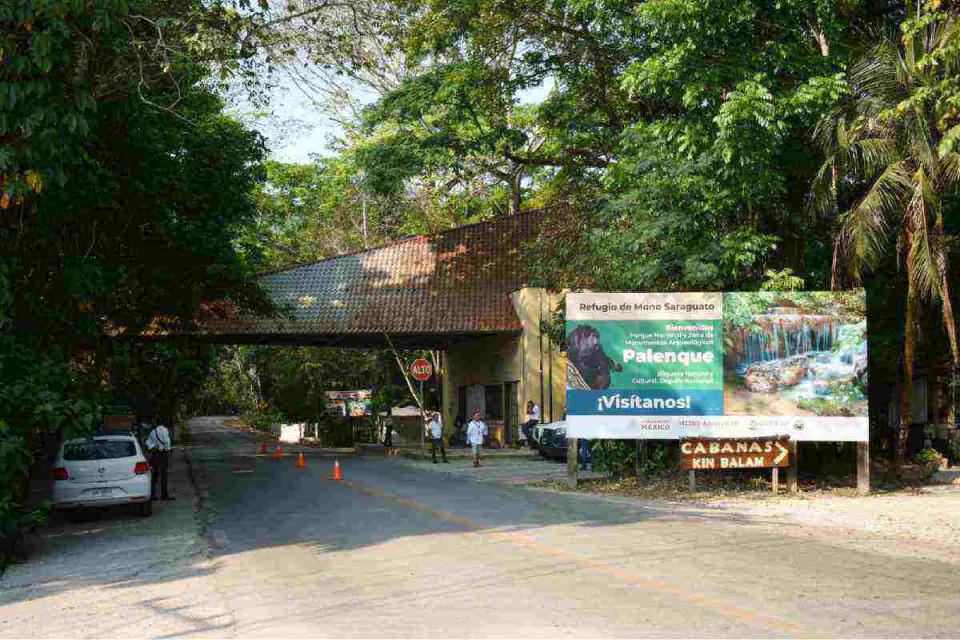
x=717 y=365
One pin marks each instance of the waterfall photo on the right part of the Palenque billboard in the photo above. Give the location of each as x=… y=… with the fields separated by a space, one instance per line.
x=795 y=354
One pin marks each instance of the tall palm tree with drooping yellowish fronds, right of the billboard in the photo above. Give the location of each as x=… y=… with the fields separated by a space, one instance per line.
x=891 y=151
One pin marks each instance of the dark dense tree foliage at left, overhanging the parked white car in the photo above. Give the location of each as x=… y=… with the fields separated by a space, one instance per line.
x=123 y=188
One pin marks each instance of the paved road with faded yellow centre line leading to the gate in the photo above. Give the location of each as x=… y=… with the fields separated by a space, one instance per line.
x=397 y=551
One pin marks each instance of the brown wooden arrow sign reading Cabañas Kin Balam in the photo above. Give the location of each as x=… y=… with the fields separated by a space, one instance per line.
x=718 y=455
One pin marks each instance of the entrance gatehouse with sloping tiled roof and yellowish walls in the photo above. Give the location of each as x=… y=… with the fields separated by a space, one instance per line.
x=463 y=292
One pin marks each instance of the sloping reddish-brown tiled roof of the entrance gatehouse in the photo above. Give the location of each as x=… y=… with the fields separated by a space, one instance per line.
x=456 y=282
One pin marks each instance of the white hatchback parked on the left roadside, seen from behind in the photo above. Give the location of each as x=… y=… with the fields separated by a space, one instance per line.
x=101 y=471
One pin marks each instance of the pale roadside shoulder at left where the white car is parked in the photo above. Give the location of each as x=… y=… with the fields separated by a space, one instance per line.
x=115 y=570
